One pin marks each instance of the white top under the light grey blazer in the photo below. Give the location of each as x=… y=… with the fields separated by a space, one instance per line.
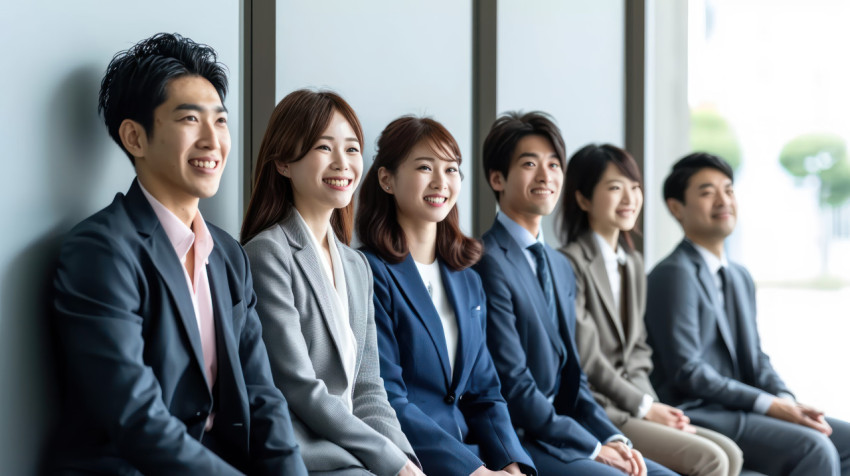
x=335 y=279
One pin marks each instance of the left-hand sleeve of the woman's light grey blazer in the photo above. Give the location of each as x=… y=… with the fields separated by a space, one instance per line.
x=307 y=395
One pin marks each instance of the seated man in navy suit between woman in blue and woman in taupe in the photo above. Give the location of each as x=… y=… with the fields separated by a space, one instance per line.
x=530 y=292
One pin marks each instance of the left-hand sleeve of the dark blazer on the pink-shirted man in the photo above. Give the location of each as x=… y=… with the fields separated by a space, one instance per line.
x=99 y=288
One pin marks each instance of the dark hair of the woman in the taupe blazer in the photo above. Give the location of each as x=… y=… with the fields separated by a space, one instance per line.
x=584 y=171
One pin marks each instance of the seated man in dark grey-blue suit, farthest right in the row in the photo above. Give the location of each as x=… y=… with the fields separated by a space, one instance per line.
x=701 y=319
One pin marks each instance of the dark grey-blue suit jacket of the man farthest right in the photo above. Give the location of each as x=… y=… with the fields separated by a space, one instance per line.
x=696 y=363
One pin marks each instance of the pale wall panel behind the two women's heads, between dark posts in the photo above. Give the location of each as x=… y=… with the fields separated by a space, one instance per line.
x=386 y=59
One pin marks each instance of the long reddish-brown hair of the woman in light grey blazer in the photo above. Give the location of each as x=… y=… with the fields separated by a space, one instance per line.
x=296 y=124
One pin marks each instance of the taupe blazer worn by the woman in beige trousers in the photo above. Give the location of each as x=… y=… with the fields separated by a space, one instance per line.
x=615 y=357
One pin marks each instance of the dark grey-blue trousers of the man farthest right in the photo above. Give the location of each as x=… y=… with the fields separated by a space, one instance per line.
x=777 y=447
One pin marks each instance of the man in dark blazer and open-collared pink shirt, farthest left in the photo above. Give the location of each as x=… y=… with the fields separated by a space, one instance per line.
x=163 y=365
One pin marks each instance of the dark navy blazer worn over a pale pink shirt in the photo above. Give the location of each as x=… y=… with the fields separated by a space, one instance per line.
x=135 y=393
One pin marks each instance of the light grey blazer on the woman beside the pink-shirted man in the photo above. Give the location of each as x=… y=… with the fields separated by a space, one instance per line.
x=293 y=302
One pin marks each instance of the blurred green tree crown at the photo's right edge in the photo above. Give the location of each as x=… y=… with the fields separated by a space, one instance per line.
x=823 y=155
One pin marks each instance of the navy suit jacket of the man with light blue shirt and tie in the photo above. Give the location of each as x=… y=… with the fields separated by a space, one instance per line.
x=542 y=380
